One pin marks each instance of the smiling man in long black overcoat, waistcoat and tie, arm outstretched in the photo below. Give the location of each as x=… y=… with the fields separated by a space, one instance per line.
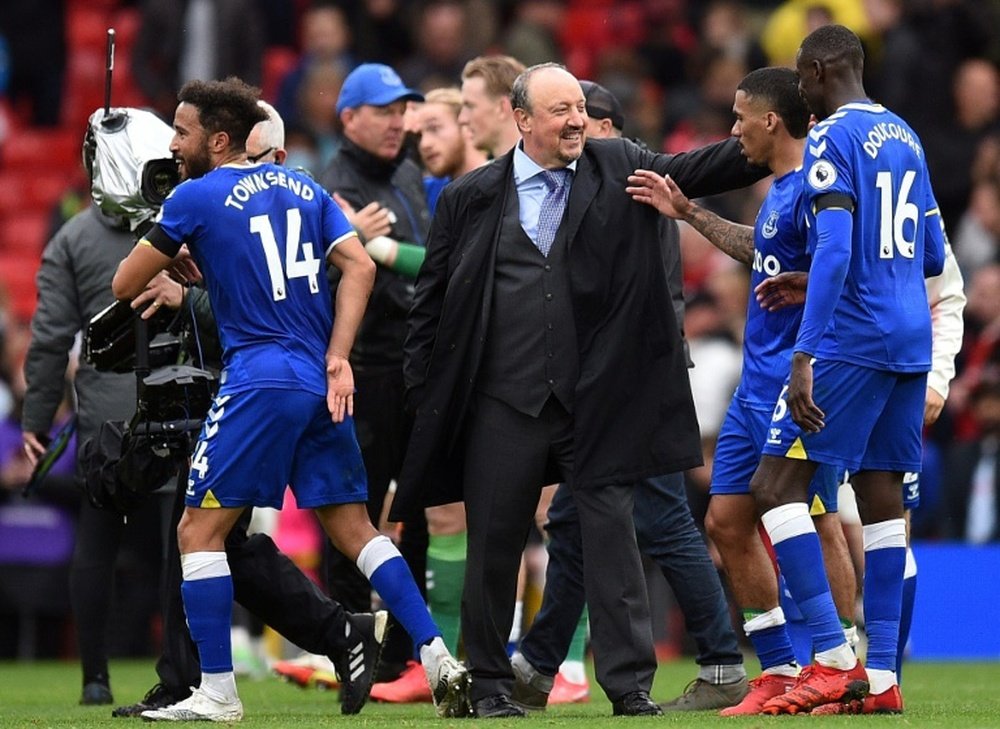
x=542 y=347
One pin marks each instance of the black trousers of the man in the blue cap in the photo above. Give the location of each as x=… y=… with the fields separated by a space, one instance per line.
x=383 y=429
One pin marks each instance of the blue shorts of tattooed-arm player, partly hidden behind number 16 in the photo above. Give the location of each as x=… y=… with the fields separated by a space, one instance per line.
x=737 y=453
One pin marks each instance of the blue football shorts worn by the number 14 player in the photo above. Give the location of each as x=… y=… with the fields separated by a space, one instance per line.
x=256 y=442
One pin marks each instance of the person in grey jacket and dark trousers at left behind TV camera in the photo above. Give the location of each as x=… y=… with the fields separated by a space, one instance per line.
x=73 y=279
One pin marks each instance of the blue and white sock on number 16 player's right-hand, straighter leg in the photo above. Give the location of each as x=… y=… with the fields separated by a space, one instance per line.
x=885 y=560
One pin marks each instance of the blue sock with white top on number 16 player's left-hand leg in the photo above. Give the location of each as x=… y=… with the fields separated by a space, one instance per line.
x=800 y=560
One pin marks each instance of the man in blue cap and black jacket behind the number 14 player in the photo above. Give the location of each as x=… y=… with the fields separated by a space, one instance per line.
x=371 y=167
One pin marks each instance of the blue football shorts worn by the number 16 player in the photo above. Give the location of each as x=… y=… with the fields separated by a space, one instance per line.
x=873 y=420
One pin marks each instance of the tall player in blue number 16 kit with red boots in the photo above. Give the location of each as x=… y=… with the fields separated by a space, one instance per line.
x=856 y=391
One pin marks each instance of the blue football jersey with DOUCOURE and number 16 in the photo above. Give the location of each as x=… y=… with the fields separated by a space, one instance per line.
x=881 y=319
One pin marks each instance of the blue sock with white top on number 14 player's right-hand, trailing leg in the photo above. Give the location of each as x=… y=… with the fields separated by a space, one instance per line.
x=389 y=574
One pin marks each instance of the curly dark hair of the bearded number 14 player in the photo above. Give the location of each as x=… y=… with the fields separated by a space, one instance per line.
x=228 y=106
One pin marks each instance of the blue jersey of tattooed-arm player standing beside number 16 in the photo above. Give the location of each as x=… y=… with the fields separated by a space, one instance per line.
x=779 y=245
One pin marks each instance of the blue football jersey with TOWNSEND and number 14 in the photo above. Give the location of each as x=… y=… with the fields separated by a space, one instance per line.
x=260 y=235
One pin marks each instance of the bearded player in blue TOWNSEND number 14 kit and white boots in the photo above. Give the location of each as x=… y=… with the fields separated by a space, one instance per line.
x=260 y=235
